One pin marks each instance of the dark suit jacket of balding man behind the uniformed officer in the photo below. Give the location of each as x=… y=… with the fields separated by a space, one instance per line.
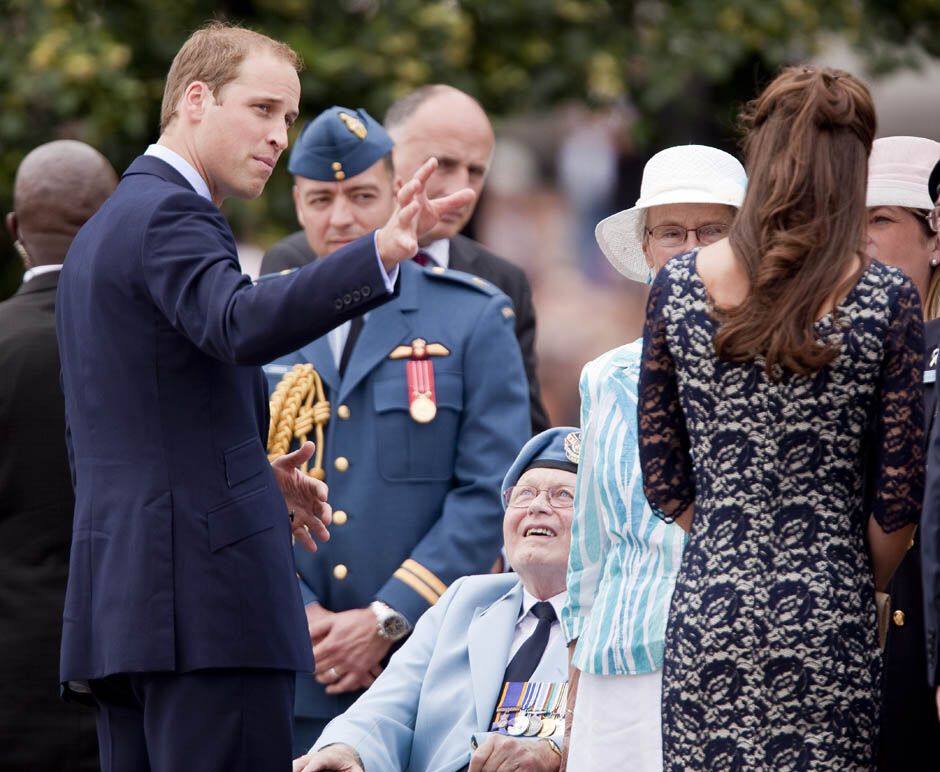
x=465 y=255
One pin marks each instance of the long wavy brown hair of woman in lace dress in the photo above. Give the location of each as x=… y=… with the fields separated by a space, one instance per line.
x=802 y=224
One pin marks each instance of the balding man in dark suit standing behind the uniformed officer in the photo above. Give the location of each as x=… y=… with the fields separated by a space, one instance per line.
x=446 y=123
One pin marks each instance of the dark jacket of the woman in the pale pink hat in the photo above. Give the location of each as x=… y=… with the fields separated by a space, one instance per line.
x=910 y=732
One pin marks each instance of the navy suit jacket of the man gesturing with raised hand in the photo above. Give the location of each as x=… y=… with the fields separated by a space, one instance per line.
x=181 y=553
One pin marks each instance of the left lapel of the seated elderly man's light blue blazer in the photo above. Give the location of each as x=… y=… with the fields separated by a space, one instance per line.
x=488 y=642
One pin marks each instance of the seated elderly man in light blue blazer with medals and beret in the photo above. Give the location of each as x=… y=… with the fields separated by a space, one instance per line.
x=491 y=643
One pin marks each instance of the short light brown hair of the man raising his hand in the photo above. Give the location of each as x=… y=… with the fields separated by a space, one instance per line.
x=213 y=54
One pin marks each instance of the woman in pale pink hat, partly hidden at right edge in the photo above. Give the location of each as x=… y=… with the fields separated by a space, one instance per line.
x=900 y=235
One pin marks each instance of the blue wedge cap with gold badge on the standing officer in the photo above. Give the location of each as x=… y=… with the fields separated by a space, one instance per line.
x=337 y=144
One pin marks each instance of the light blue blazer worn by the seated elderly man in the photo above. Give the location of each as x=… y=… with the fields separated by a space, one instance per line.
x=441 y=687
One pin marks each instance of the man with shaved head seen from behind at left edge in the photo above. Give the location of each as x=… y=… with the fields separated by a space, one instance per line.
x=58 y=186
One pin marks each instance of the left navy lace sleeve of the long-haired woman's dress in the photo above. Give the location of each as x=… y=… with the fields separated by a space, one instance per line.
x=663 y=439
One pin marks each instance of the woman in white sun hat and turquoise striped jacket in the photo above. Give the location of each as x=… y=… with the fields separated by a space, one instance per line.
x=624 y=560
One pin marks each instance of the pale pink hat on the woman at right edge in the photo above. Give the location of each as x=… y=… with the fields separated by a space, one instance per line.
x=898 y=170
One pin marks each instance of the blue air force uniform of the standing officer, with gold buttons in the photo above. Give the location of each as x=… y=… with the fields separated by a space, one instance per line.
x=416 y=505
